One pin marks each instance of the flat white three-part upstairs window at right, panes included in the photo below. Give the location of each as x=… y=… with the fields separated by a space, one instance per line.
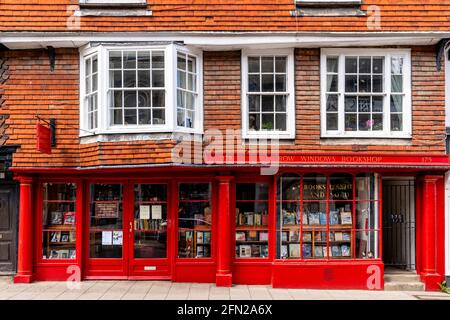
x=366 y=93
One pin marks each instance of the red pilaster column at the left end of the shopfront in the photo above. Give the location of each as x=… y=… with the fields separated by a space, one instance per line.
x=25 y=245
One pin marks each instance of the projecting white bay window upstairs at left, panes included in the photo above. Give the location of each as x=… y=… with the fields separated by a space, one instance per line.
x=140 y=89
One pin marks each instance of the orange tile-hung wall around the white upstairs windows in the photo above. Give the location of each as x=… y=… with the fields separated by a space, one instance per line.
x=33 y=89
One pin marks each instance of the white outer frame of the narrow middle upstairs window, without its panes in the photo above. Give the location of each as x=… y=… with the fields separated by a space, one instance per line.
x=290 y=91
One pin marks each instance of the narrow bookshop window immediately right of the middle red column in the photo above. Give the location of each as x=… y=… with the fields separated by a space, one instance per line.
x=252 y=220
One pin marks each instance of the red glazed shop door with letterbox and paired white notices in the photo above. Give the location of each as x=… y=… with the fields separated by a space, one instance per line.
x=149 y=249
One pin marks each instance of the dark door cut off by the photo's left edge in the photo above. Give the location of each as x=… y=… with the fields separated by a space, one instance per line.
x=8 y=226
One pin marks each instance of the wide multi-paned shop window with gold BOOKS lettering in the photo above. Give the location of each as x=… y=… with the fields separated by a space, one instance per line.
x=327 y=217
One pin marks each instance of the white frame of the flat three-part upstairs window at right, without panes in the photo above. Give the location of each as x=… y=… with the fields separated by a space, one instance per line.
x=341 y=53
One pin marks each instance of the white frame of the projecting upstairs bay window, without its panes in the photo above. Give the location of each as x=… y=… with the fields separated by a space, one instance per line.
x=170 y=83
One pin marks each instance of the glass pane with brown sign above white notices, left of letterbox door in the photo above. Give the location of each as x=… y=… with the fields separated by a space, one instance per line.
x=106 y=224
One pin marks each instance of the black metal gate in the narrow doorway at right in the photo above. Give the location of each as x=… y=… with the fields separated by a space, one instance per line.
x=399 y=224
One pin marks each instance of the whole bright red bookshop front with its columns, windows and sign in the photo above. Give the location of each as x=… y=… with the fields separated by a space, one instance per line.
x=226 y=224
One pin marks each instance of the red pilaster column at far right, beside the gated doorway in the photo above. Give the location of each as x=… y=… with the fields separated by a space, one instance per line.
x=428 y=228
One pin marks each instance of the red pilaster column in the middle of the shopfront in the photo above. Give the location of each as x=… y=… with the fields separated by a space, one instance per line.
x=223 y=275
